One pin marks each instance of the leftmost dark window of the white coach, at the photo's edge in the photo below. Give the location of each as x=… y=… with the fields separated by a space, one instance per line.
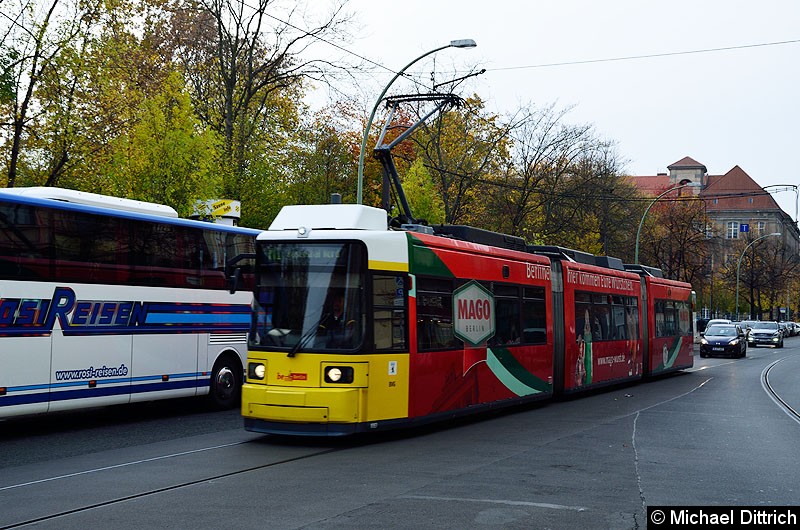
x=25 y=246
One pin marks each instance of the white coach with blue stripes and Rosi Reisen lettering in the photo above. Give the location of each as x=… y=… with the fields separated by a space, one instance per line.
x=106 y=301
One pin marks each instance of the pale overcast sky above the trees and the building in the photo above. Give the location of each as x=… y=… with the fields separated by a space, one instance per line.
x=735 y=106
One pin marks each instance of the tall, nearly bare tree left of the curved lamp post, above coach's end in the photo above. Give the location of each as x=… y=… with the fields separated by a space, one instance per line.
x=244 y=63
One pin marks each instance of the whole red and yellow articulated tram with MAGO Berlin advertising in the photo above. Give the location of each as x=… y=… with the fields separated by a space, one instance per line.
x=359 y=328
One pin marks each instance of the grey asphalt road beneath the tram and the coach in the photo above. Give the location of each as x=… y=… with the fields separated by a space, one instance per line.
x=718 y=434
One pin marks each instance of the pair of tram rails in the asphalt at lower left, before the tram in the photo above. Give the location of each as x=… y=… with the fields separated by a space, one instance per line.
x=154 y=491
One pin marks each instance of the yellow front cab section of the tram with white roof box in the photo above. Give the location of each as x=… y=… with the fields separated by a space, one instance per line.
x=328 y=351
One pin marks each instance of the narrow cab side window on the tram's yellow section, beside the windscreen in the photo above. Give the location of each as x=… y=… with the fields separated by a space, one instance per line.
x=389 y=312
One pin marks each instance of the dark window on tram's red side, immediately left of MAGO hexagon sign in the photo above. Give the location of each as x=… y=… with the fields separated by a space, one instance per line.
x=435 y=315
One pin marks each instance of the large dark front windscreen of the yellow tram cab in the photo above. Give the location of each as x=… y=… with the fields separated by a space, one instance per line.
x=309 y=296
